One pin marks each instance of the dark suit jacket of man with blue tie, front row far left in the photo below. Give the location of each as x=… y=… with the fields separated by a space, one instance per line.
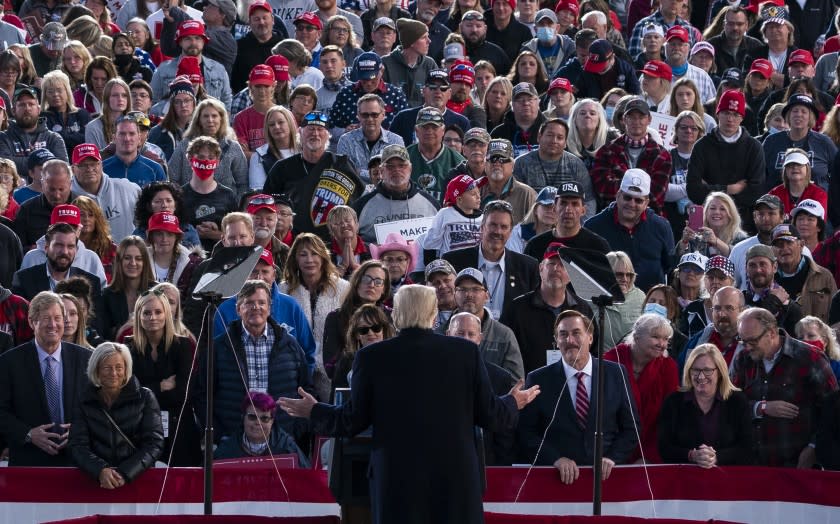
x=23 y=399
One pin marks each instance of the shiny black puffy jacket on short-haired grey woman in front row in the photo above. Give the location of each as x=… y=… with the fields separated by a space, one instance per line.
x=95 y=443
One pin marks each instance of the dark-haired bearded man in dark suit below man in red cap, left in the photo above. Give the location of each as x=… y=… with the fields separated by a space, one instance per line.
x=62 y=244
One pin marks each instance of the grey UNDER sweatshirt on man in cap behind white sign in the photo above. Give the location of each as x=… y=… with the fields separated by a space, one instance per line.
x=382 y=205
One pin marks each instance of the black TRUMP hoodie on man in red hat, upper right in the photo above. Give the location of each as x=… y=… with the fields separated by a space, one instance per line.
x=714 y=164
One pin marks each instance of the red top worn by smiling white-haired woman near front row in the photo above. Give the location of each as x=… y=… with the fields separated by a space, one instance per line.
x=657 y=380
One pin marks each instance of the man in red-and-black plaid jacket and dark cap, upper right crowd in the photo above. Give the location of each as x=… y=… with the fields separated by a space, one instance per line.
x=634 y=149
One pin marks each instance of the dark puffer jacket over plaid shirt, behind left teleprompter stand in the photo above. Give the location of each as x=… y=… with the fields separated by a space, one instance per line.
x=287 y=370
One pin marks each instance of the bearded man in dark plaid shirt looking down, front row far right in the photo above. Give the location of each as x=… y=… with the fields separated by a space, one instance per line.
x=786 y=382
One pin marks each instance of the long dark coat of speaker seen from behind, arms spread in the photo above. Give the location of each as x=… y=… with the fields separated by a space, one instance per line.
x=424 y=464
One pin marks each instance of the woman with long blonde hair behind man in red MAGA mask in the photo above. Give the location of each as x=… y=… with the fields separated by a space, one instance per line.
x=212 y=119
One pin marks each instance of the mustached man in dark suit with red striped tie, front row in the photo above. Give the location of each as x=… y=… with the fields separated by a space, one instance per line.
x=568 y=387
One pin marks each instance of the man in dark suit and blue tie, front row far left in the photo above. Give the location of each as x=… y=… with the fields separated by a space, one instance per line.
x=40 y=383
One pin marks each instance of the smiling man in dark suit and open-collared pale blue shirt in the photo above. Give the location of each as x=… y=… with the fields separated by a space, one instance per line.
x=507 y=274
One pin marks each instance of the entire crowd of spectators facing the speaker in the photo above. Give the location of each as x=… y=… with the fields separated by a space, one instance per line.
x=461 y=145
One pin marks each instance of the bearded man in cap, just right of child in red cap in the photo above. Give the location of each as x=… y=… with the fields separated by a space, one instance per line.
x=502 y=185
